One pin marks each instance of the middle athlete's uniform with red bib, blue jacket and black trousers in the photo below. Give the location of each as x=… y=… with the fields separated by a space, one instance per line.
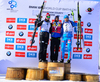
x=56 y=33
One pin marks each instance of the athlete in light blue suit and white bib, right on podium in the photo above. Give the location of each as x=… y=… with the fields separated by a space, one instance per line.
x=67 y=37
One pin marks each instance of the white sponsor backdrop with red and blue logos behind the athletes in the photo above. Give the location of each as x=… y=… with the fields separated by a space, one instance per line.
x=22 y=19
